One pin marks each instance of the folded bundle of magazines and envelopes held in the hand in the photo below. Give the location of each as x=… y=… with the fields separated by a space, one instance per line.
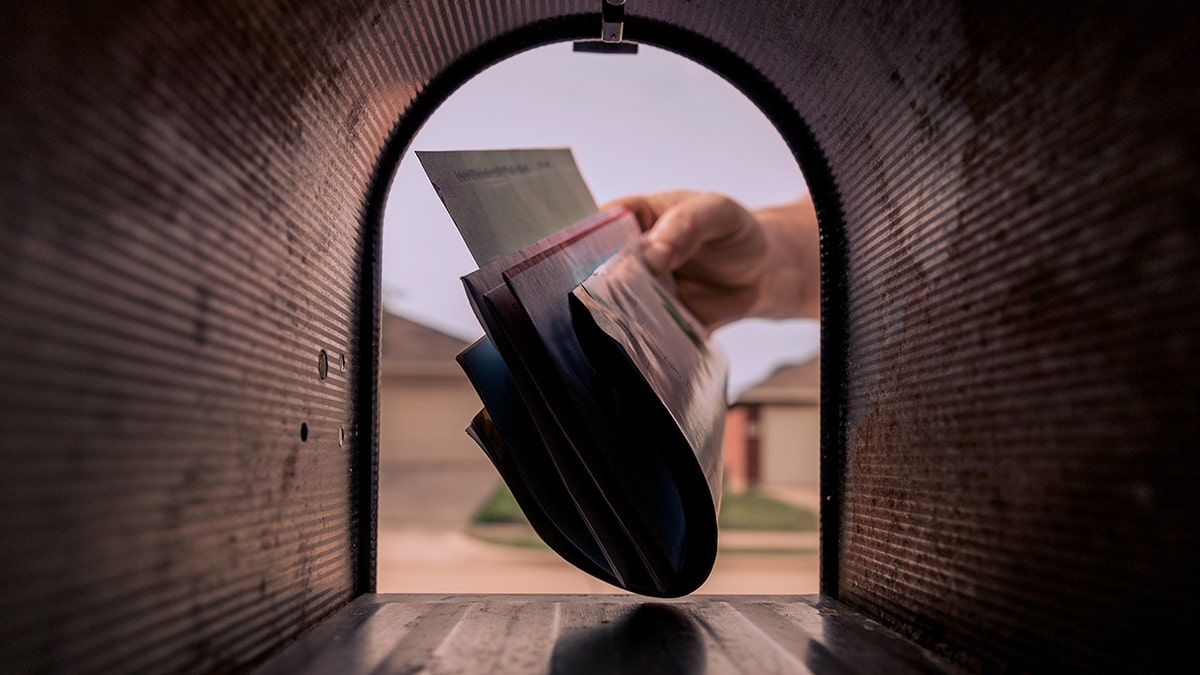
x=604 y=401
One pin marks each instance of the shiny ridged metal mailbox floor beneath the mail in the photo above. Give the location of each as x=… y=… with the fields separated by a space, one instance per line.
x=580 y=635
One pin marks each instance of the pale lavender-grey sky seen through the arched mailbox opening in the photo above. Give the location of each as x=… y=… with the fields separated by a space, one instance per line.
x=637 y=124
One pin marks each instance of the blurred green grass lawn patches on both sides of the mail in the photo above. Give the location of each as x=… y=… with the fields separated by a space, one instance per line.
x=748 y=511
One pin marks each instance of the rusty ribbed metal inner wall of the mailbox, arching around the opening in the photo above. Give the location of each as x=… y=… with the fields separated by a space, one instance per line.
x=1011 y=310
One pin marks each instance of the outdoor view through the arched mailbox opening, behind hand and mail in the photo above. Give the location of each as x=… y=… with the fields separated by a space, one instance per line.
x=637 y=124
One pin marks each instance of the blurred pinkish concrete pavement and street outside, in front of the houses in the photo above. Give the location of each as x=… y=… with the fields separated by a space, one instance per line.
x=425 y=543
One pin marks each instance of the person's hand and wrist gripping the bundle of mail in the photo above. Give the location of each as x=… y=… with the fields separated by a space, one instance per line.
x=729 y=262
